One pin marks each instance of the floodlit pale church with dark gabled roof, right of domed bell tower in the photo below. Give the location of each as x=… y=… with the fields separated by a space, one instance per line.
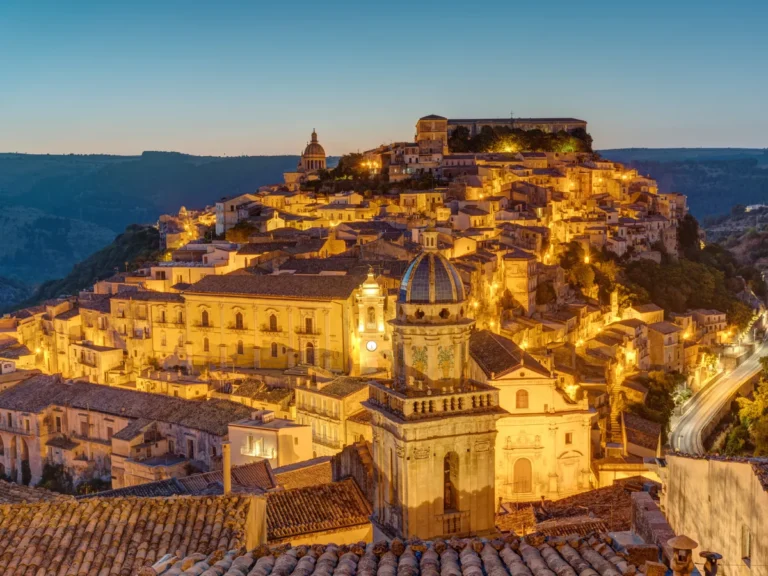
x=543 y=447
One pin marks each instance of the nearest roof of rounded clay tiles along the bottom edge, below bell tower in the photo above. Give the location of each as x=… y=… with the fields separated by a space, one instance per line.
x=534 y=554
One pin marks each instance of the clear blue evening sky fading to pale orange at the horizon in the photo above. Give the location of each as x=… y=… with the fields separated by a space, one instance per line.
x=254 y=77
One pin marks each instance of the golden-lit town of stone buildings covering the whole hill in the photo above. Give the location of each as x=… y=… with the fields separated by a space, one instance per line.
x=465 y=334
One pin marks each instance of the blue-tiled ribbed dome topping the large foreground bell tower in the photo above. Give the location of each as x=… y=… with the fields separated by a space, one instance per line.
x=431 y=279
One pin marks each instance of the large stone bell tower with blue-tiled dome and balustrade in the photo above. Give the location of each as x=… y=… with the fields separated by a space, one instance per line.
x=434 y=430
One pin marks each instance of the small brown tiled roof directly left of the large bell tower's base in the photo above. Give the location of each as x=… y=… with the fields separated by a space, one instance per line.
x=303 y=511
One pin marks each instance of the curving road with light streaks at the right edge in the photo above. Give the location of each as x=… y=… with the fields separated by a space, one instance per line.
x=687 y=434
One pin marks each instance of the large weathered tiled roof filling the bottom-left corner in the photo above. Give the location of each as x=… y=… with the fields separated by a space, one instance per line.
x=116 y=536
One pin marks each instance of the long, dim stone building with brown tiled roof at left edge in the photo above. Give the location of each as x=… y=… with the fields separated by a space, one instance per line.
x=97 y=431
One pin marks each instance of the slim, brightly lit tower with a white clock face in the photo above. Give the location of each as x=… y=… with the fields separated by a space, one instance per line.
x=375 y=345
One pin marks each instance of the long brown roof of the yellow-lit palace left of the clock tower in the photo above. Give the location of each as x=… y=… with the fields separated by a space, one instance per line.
x=280 y=286
